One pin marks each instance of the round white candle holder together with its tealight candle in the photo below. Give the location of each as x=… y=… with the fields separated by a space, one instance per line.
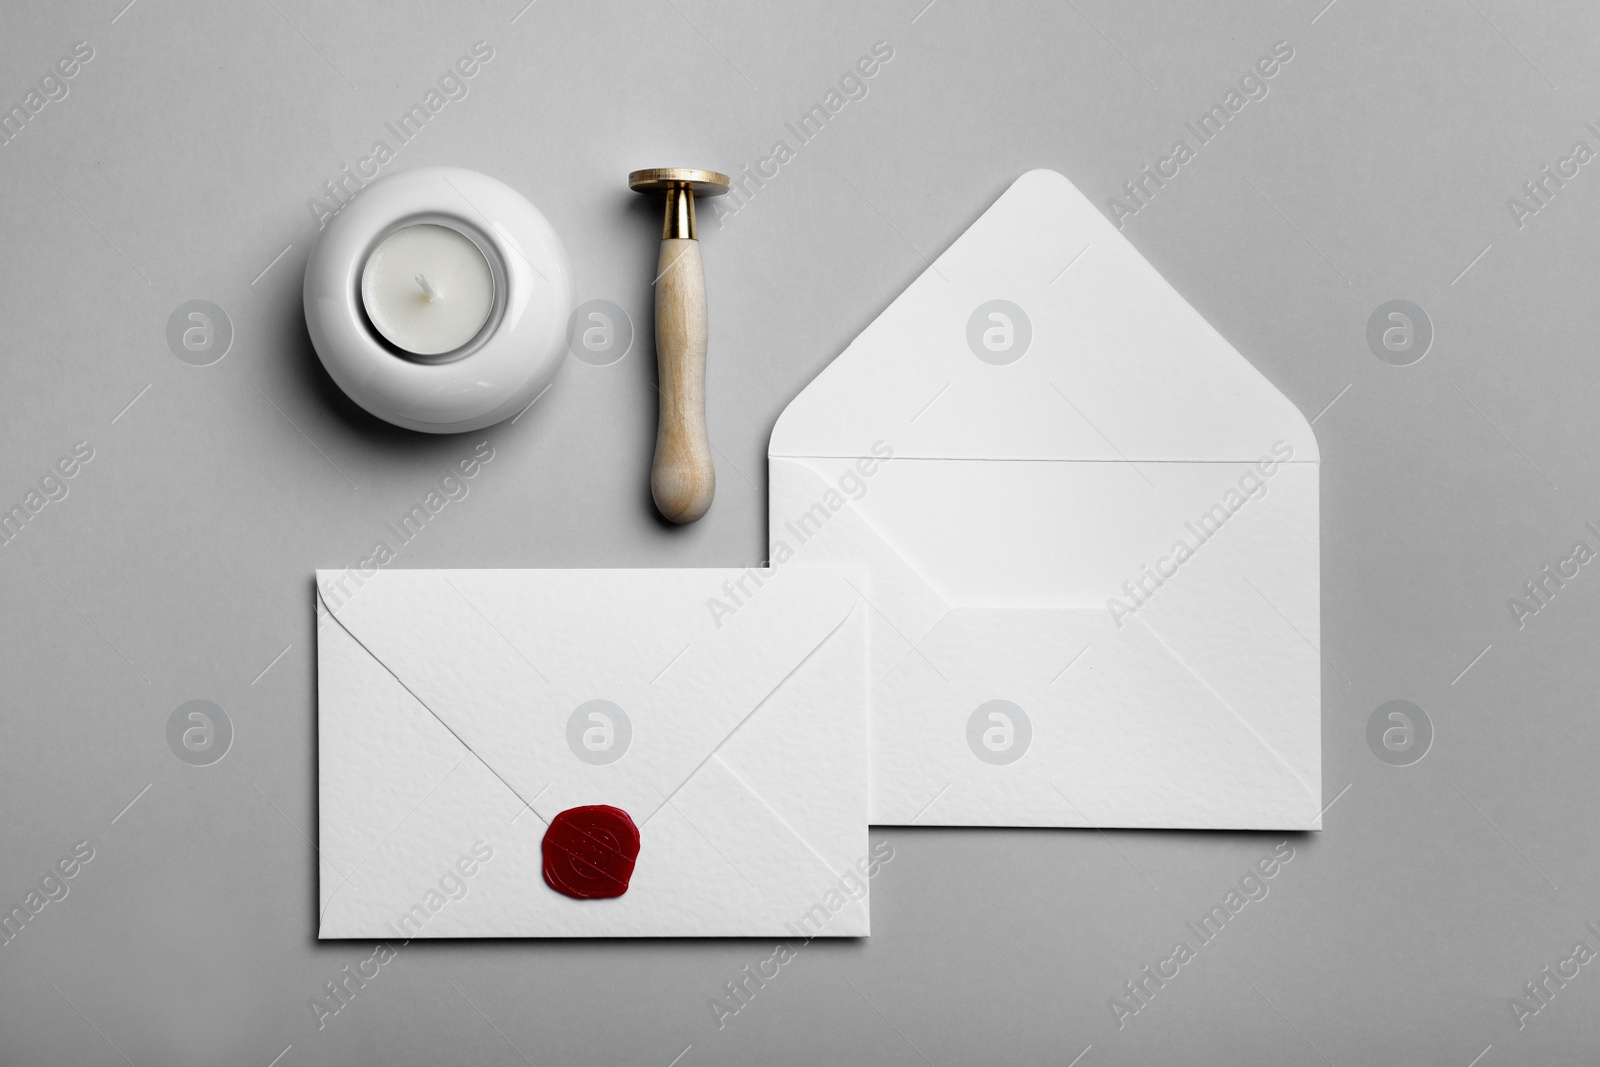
x=492 y=338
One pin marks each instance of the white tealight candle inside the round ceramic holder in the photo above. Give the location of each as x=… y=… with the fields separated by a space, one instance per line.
x=428 y=289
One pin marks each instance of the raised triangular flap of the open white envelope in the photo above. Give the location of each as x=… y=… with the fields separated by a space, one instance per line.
x=1116 y=364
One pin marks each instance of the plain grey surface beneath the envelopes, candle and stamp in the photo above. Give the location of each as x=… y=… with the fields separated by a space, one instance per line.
x=180 y=567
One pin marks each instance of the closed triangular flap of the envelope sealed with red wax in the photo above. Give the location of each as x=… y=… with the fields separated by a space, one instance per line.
x=673 y=661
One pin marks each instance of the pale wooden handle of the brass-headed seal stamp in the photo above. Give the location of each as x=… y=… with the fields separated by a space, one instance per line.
x=682 y=479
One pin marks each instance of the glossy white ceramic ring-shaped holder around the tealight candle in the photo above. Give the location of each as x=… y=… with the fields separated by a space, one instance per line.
x=490 y=378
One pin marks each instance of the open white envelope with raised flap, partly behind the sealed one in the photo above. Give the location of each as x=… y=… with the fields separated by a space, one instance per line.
x=1094 y=554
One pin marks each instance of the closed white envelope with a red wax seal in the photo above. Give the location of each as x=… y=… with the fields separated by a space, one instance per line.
x=719 y=716
